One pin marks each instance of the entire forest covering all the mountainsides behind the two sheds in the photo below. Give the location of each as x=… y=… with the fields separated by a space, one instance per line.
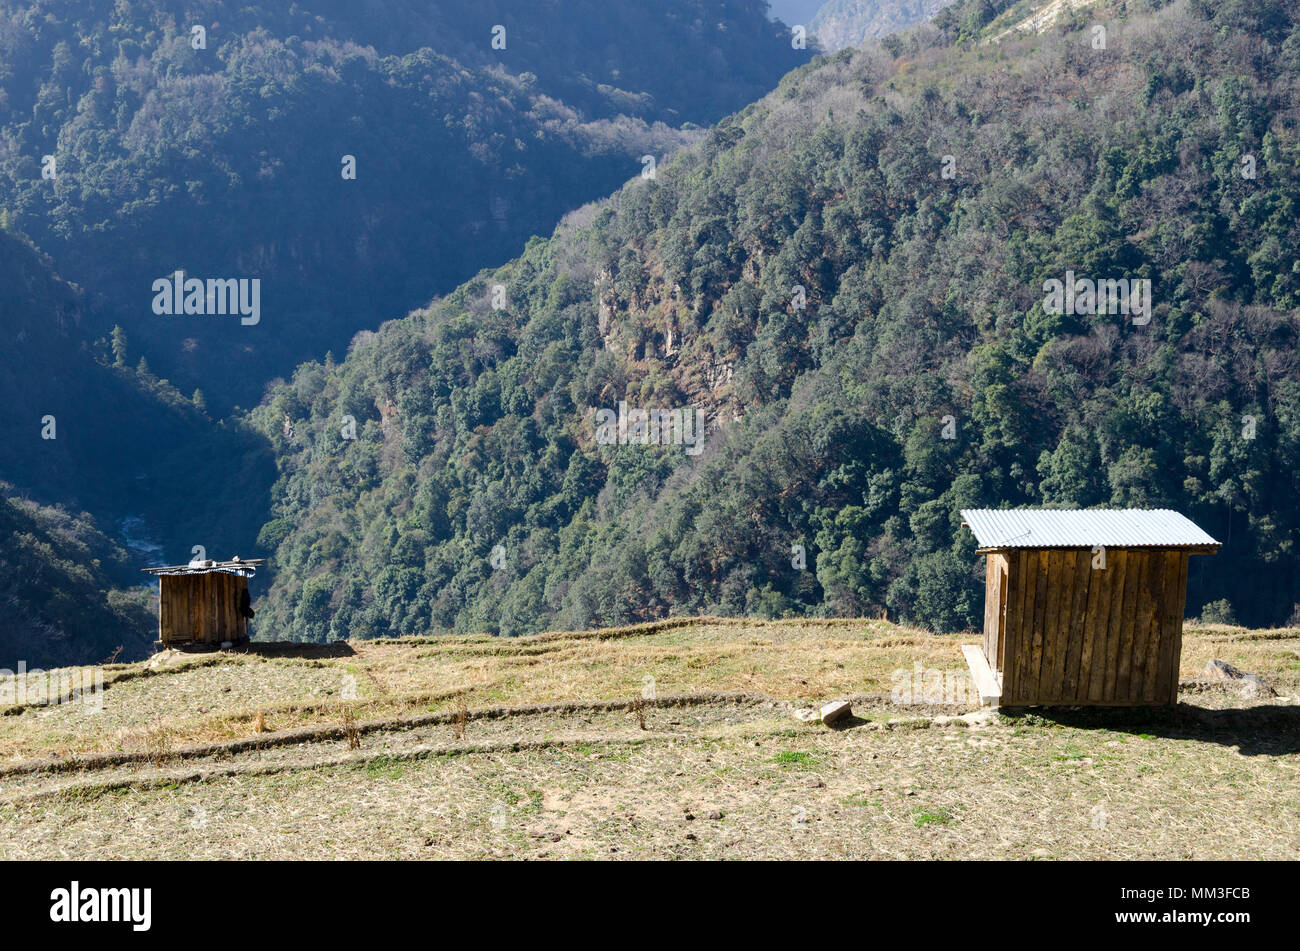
x=850 y=284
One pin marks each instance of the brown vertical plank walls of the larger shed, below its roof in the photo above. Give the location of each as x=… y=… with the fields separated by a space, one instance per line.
x=1060 y=631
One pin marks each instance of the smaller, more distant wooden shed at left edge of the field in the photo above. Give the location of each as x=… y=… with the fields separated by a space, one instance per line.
x=205 y=605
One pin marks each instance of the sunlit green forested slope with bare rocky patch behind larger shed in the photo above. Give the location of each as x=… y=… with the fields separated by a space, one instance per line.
x=1168 y=157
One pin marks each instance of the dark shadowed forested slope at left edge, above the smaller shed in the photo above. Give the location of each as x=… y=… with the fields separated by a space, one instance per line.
x=88 y=423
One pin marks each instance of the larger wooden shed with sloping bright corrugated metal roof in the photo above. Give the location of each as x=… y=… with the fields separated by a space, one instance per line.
x=1084 y=606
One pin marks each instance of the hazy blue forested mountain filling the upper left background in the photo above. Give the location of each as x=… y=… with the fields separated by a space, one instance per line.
x=214 y=138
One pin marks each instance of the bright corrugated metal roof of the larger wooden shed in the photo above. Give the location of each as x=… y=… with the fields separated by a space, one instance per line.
x=1116 y=528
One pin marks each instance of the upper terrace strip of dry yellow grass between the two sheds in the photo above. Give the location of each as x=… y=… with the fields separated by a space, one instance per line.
x=219 y=697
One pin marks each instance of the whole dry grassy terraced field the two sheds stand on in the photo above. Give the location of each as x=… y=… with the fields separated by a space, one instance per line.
x=547 y=748
